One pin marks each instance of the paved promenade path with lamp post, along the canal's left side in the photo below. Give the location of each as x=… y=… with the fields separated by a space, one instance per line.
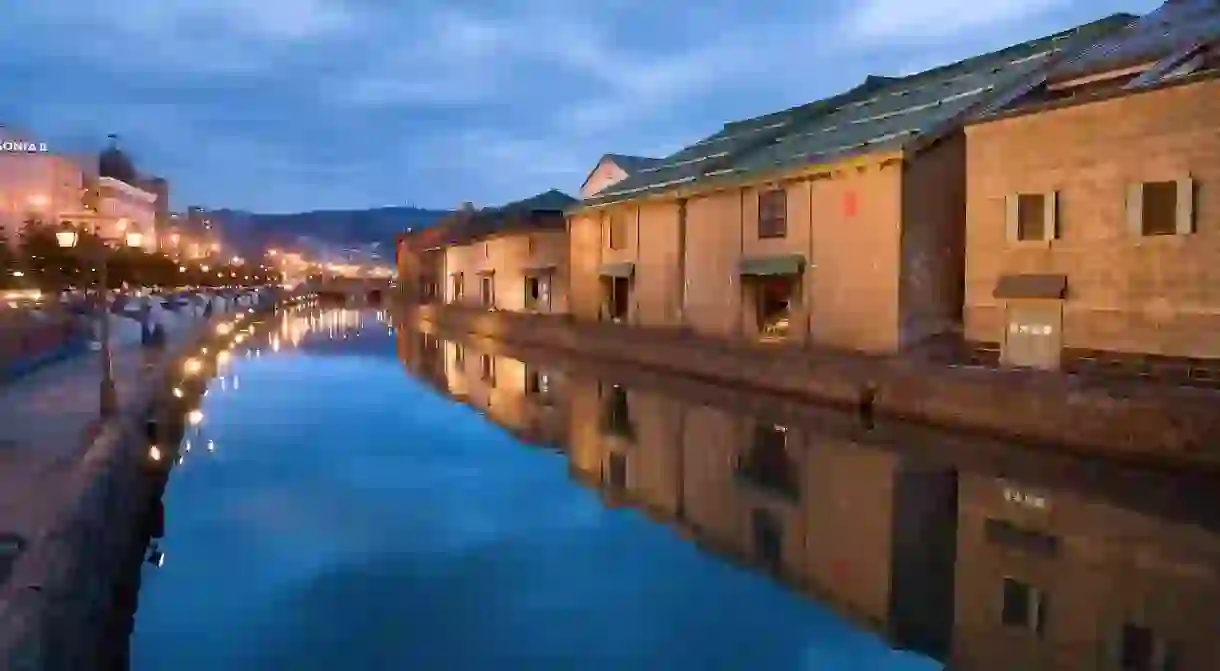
x=46 y=419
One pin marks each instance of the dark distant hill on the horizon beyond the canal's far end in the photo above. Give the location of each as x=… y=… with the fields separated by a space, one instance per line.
x=320 y=231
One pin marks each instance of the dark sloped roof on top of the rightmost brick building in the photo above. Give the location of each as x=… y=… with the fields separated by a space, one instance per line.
x=1174 y=26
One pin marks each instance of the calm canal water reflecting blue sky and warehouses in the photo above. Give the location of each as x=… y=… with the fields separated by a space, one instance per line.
x=363 y=496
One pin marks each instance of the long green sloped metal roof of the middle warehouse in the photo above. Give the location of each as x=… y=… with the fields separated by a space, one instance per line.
x=883 y=113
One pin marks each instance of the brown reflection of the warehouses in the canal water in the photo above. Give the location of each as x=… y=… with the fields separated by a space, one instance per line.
x=979 y=569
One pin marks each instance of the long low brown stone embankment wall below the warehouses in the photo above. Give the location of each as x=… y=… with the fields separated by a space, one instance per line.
x=1138 y=422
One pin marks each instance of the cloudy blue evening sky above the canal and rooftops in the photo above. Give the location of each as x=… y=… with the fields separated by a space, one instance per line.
x=296 y=106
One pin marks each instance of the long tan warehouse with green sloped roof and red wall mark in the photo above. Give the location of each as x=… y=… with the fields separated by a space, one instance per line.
x=839 y=223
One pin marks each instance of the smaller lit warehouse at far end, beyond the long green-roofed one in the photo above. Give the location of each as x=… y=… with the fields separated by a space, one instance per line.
x=508 y=258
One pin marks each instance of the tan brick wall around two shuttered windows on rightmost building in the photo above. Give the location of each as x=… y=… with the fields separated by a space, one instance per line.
x=1125 y=293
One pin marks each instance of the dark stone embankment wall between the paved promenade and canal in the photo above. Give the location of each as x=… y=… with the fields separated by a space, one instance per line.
x=68 y=603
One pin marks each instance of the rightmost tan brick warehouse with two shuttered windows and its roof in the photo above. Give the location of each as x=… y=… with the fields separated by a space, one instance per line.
x=1094 y=212
